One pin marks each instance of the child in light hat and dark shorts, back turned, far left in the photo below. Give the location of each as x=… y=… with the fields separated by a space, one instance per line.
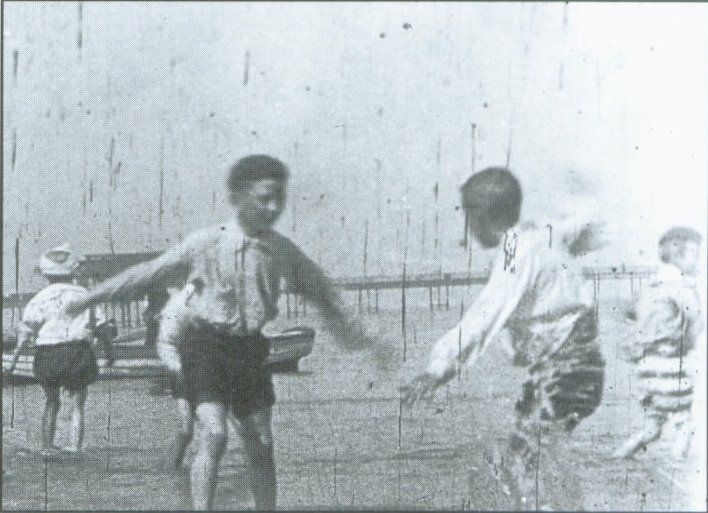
x=64 y=356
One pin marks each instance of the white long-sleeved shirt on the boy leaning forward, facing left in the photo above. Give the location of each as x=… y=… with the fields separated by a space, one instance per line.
x=536 y=291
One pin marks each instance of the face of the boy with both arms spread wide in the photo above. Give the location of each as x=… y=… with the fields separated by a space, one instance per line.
x=259 y=205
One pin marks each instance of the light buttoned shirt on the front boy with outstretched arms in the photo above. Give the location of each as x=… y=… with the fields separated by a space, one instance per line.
x=234 y=280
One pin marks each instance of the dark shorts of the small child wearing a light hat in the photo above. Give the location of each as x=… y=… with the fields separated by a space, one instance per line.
x=71 y=365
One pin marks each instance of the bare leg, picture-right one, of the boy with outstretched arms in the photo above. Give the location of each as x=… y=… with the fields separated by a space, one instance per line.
x=257 y=437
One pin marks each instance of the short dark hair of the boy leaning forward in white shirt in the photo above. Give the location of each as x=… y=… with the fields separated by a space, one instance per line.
x=496 y=193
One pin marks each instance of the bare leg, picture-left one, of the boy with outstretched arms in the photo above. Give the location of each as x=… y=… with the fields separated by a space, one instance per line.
x=205 y=467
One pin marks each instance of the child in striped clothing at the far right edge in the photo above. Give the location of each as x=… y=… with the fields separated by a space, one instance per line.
x=668 y=322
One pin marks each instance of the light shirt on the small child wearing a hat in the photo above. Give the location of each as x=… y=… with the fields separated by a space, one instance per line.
x=44 y=319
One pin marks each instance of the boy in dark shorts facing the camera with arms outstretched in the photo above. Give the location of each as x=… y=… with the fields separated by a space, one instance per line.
x=235 y=269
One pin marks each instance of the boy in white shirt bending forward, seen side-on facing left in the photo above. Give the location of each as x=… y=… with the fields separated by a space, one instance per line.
x=536 y=289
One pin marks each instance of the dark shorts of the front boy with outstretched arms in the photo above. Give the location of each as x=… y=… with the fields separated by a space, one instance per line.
x=227 y=370
